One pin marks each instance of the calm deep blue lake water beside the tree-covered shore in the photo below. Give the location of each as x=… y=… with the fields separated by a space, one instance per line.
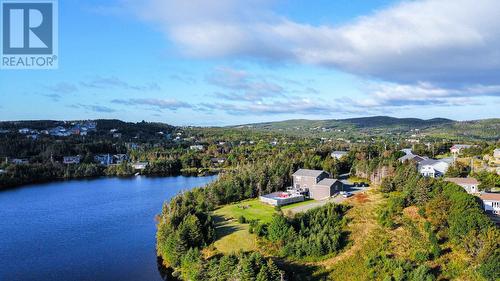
x=92 y=230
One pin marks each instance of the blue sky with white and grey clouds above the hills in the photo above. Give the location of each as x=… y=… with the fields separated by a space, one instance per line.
x=226 y=62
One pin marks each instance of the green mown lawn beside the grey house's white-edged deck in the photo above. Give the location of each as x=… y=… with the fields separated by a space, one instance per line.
x=251 y=209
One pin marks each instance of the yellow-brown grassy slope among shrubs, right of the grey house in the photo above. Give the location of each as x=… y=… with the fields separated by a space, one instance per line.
x=367 y=237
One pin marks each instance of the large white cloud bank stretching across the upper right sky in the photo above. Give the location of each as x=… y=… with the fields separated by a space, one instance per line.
x=440 y=41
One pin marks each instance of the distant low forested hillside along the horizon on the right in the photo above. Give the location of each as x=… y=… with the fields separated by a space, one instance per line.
x=377 y=126
